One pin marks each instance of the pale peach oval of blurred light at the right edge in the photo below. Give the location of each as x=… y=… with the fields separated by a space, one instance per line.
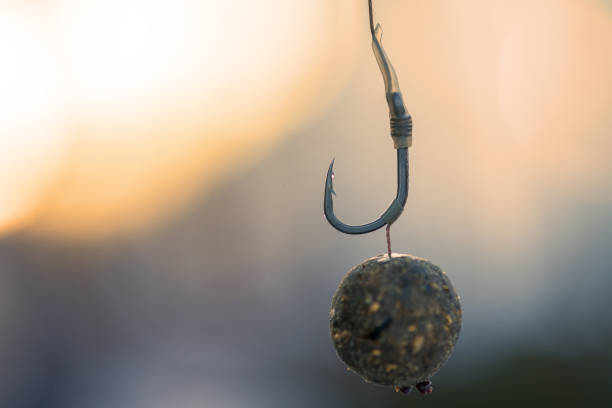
x=555 y=86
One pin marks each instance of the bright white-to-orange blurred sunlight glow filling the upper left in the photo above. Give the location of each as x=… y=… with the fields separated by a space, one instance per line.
x=158 y=99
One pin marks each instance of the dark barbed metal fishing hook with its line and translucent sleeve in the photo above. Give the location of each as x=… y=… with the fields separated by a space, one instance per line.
x=401 y=132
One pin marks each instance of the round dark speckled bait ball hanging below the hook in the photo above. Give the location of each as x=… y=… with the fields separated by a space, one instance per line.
x=395 y=321
